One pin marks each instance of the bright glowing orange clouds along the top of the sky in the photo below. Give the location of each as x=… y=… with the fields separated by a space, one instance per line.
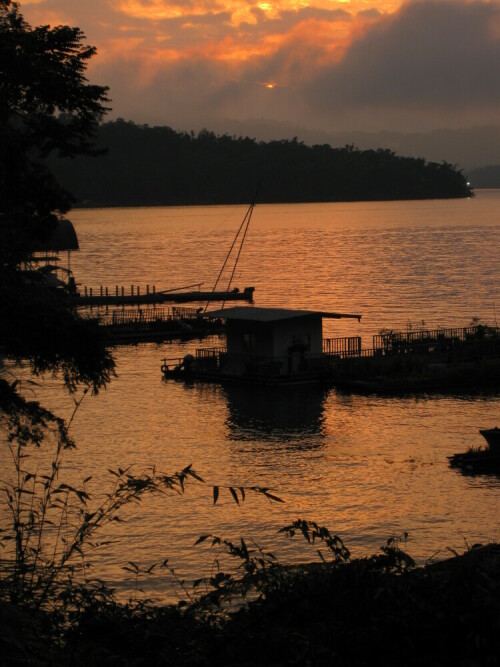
x=158 y=31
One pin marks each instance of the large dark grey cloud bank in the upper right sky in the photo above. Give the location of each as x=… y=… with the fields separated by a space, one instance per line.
x=429 y=58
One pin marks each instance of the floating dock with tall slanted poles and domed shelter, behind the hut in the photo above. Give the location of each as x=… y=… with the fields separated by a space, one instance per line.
x=130 y=314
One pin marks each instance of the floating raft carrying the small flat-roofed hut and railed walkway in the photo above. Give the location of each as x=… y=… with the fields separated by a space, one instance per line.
x=278 y=346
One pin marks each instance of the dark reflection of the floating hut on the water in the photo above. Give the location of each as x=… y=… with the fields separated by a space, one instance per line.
x=275 y=413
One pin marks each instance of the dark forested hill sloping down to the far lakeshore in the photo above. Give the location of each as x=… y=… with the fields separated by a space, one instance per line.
x=159 y=166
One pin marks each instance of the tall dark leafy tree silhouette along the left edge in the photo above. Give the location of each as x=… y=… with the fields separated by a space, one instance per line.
x=46 y=106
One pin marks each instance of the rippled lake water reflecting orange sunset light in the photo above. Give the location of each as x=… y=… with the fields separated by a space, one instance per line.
x=366 y=467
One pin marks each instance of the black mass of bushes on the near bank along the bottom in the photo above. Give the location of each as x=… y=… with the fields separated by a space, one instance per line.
x=347 y=612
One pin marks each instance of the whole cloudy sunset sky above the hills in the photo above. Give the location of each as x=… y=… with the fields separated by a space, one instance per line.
x=320 y=64
